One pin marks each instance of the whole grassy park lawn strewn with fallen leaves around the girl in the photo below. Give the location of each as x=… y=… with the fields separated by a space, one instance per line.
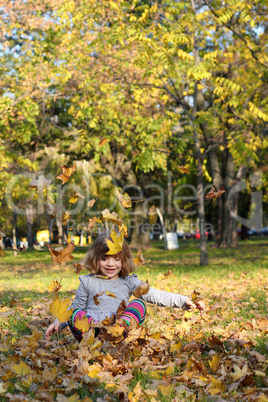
x=224 y=352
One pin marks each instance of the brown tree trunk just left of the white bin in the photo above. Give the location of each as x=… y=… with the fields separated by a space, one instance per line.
x=140 y=237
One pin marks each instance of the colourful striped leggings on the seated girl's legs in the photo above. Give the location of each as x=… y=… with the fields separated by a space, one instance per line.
x=136 y=311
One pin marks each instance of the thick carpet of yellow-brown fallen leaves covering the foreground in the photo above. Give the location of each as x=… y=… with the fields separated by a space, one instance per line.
x=177 y=355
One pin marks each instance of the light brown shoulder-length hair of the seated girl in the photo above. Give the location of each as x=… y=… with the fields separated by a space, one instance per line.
x=99 y=248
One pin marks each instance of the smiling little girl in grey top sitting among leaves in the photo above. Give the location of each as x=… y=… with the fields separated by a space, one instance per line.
x=110 y=274
